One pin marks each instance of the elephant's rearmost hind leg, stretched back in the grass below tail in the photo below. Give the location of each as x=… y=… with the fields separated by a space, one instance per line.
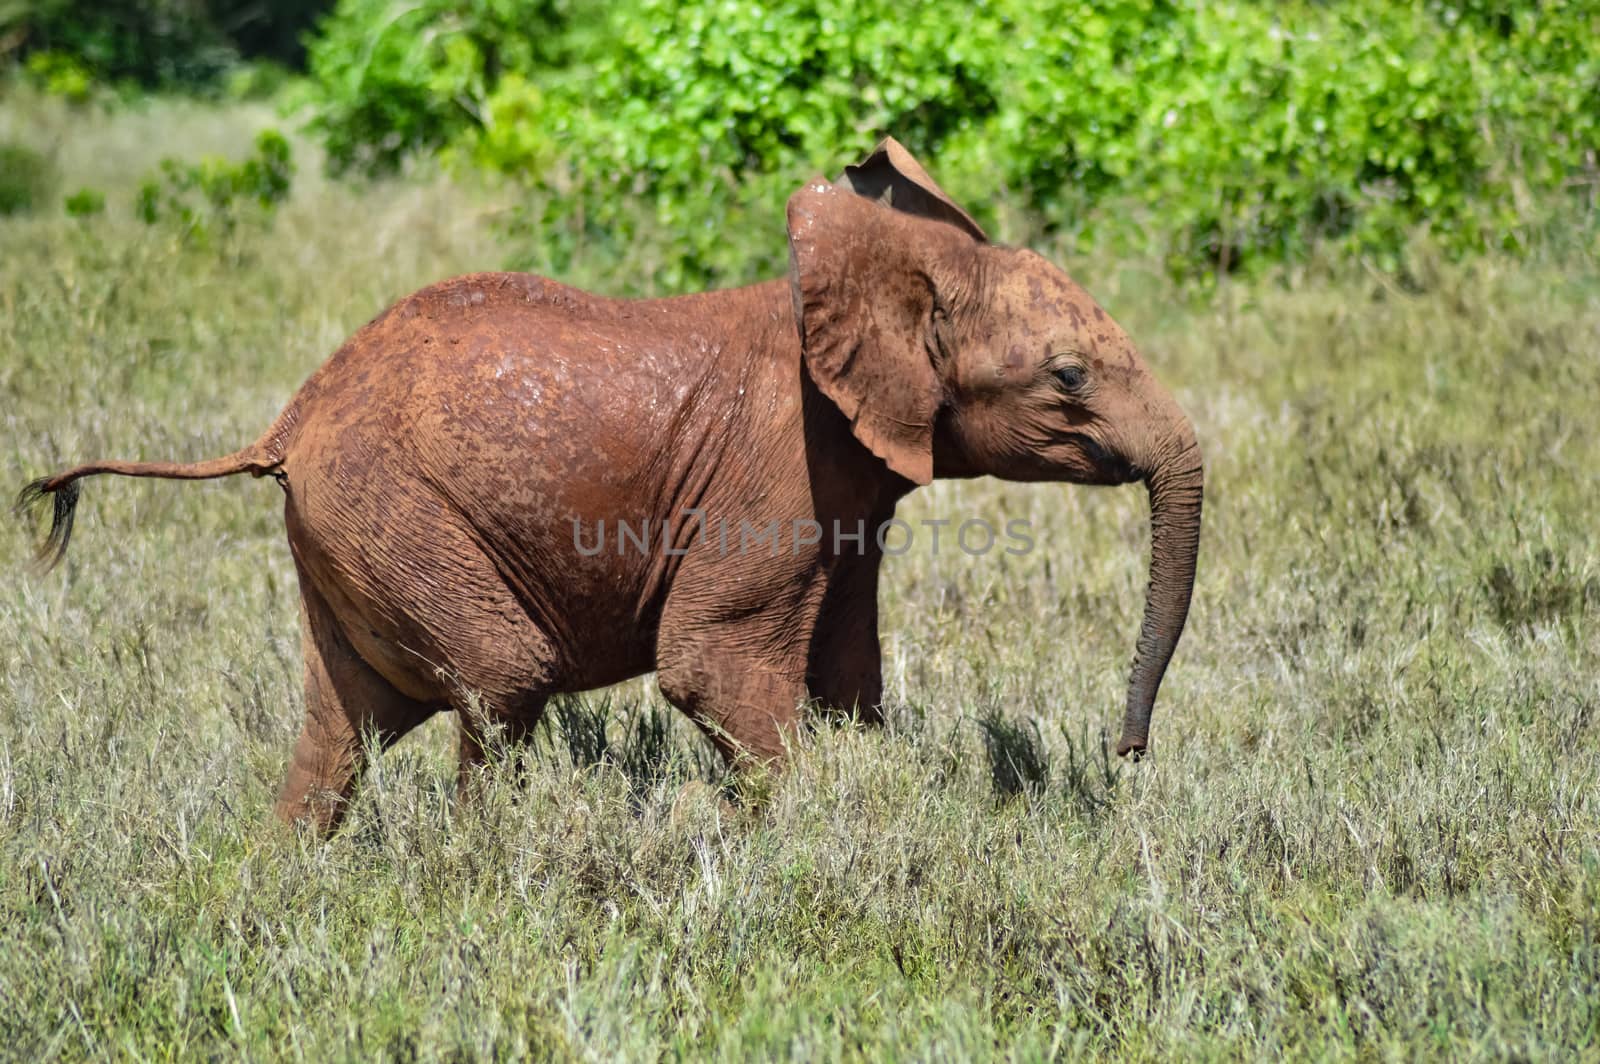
x=346 y=702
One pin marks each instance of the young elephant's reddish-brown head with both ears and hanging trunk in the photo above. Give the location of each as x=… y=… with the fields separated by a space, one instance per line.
x=958 y=358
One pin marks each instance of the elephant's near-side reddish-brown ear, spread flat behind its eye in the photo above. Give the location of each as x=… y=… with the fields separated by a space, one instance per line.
x=863 y=286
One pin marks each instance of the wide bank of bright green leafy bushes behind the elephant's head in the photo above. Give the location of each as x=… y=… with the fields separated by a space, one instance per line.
x=1218 y=135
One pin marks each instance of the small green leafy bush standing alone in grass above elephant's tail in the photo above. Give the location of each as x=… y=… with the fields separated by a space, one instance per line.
x=215 y=194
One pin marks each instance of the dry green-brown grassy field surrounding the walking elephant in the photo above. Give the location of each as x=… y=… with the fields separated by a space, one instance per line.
x=1370 y=830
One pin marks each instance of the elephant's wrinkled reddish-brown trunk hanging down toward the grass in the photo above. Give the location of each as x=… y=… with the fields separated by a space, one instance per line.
x=1177 y=484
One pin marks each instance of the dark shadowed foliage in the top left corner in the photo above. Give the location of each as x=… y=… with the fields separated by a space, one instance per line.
x=170 y=44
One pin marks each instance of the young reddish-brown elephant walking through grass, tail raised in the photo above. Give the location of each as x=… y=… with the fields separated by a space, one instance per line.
x=447 y=471
